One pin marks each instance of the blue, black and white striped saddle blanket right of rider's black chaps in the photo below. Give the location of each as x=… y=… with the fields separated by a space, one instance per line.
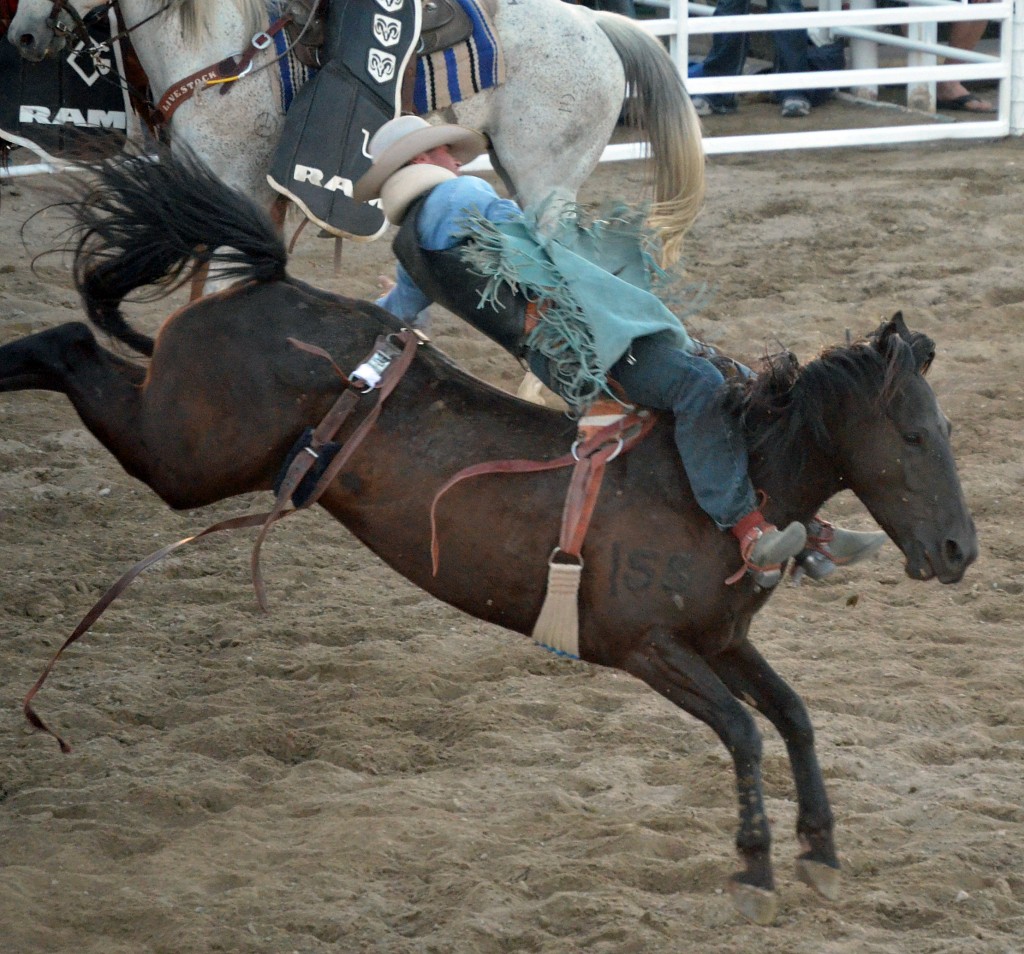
x=452 y=75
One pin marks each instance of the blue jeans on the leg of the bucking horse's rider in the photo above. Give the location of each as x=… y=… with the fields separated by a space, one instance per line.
x=661 y=376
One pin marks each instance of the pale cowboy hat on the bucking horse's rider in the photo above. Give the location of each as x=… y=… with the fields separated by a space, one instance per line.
x=402 y=140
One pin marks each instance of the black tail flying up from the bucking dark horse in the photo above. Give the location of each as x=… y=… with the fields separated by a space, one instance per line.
x=156 y=223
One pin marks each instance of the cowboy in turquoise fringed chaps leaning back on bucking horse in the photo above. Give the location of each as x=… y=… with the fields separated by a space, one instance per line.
x=618 y=330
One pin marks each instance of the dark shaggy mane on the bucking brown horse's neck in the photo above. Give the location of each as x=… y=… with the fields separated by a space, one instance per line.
x=787 y=407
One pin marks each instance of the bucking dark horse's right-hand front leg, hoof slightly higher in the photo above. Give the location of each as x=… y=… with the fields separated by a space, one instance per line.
x=750 y=678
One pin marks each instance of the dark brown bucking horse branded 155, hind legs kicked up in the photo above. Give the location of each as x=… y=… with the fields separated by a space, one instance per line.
x=226 y=397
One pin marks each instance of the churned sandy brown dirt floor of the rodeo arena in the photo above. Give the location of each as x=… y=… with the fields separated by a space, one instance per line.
x=369 y=770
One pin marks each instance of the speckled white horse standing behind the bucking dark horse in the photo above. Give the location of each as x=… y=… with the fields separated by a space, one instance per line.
x=567 y=75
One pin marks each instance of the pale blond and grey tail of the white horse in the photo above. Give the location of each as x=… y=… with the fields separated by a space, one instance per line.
x=658 y=103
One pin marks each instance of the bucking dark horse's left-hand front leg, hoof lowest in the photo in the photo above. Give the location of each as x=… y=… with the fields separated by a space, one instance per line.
x=685 y=678
